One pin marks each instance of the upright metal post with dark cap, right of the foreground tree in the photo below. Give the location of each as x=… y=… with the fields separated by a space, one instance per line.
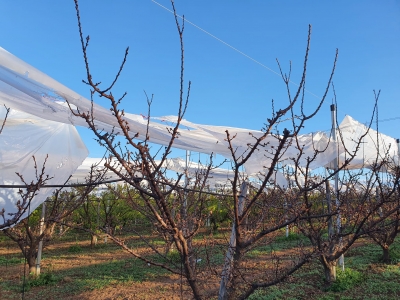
x=336 y=166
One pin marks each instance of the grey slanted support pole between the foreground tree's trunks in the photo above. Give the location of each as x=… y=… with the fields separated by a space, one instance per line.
x=227 y=270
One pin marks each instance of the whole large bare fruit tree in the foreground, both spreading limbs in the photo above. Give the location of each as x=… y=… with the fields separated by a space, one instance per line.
x=258 y=211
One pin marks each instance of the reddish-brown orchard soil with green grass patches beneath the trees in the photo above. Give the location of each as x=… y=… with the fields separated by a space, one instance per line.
x=71 y=269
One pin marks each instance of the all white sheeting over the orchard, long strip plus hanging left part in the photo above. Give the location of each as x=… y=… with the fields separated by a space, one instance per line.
x=41 y=123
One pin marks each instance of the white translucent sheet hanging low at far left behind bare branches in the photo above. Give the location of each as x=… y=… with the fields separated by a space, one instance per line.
x=25 y=136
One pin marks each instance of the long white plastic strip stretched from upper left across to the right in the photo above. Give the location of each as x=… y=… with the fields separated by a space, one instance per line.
x=25 y=88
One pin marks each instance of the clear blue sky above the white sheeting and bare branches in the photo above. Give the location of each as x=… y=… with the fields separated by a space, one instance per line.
x=227 y=88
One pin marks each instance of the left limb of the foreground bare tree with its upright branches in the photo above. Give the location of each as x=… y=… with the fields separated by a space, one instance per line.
x=166 y=207
